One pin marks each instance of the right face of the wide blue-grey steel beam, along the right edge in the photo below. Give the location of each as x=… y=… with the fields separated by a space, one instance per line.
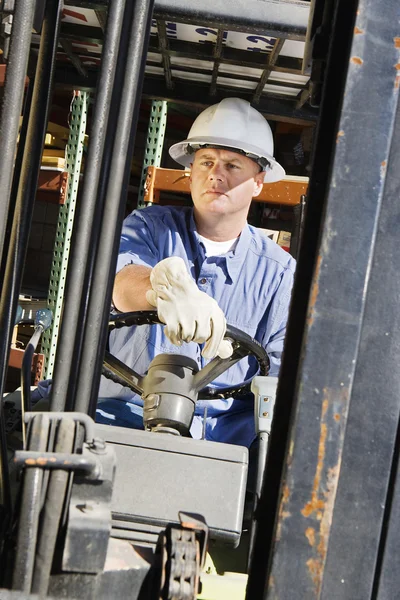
x=364 y=544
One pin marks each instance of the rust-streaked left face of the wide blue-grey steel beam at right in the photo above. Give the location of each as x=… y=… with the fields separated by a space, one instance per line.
x=335 y=311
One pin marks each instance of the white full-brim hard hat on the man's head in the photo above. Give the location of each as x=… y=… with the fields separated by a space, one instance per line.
x=233 y=124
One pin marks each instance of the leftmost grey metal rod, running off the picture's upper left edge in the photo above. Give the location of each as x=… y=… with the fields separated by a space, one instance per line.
x=12 y=103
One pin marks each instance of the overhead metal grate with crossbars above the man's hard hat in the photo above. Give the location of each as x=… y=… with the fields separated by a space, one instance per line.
x=213 y=58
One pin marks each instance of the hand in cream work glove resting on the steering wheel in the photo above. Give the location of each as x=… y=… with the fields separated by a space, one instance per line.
x=188 y=314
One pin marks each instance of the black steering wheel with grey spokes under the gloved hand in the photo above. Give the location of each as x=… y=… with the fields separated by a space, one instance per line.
x=243 y=345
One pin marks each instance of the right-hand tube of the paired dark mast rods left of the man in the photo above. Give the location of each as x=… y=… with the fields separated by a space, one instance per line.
x=115 y=199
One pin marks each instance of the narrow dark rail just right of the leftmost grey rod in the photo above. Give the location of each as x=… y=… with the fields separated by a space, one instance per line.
x=26 y=196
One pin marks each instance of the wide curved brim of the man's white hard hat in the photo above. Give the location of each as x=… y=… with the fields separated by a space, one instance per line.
x=179 y=152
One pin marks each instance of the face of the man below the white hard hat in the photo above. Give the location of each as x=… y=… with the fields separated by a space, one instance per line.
x=224 y=182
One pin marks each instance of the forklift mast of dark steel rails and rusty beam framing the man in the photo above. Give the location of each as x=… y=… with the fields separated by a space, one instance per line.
x=329 y=512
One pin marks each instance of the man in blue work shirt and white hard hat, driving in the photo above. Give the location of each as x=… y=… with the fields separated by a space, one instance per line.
x=203 y=267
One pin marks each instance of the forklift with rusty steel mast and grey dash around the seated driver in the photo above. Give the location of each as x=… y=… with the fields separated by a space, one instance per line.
x=92 y=511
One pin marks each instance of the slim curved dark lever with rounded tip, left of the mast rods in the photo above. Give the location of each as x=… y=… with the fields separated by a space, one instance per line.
x=43 y=319
